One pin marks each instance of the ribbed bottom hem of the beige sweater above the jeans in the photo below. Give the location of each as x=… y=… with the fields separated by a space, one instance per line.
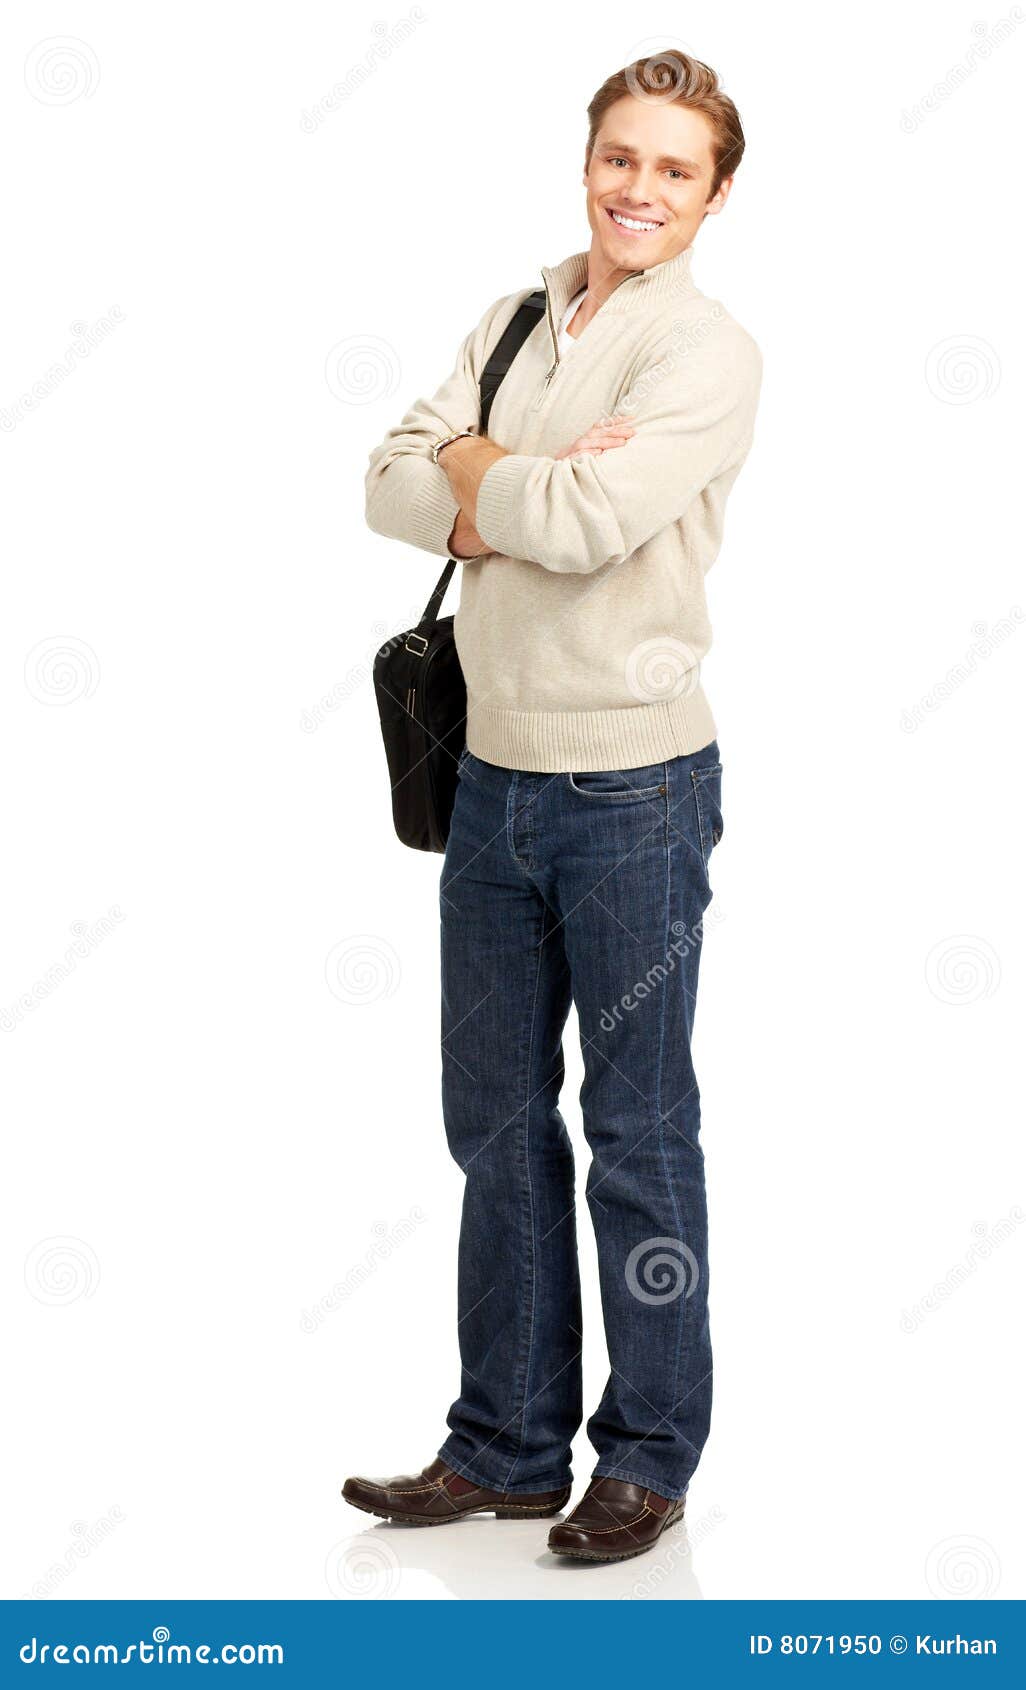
x=567 y=741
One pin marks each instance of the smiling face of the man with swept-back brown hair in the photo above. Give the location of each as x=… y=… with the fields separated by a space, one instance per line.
x=652 y=166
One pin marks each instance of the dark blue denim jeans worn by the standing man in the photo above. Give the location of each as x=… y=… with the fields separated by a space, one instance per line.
x=587 y=888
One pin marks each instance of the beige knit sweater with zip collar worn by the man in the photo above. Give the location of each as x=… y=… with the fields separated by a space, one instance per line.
x=582 y=631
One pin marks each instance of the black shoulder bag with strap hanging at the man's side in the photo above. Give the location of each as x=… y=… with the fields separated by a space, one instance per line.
x=418 y=682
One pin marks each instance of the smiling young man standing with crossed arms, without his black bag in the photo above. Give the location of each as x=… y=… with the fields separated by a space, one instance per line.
x=589 y=805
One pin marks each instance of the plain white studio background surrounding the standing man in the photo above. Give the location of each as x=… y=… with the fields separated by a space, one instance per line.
x=216 y=1133
